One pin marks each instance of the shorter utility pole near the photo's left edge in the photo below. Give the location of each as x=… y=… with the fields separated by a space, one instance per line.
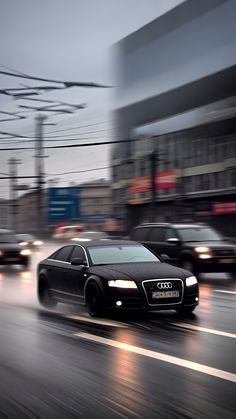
x=13 y=192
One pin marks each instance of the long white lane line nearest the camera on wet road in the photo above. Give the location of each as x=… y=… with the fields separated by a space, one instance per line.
x=214 y=372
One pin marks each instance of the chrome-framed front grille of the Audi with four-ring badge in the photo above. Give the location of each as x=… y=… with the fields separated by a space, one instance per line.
x=163 y=286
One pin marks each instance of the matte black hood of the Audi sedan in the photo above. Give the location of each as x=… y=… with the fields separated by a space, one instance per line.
x=139 y=271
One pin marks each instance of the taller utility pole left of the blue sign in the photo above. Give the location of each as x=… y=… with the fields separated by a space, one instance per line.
x=39 y=168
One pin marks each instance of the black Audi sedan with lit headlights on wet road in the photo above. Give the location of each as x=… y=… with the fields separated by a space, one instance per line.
x=114 y=275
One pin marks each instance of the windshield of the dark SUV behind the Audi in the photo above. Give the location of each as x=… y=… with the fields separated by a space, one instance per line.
x=198 y=234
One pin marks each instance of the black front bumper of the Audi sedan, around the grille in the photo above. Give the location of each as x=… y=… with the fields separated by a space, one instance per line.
x=137 y=299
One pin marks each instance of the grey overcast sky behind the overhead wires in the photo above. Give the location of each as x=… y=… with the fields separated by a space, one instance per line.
x=67 y=40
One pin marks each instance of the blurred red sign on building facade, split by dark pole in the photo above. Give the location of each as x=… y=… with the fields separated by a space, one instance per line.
x=164 y=180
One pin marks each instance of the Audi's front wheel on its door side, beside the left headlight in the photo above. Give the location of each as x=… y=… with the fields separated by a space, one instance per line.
x=94 y=300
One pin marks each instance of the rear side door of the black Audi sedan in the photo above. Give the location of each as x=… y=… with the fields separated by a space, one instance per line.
x=59 y=269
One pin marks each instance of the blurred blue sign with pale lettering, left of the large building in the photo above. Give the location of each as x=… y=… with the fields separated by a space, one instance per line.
x=63 y=204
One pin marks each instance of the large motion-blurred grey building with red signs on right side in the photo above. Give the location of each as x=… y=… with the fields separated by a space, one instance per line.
x=176 y=101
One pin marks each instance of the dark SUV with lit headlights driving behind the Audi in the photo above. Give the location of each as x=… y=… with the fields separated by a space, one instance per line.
x=194 y=247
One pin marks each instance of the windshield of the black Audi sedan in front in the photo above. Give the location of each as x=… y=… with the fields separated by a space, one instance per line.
x=121 y=254
